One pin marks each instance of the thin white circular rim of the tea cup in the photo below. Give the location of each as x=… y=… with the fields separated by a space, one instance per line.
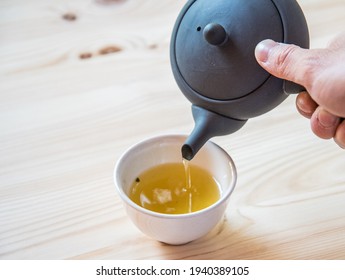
x=131 y=203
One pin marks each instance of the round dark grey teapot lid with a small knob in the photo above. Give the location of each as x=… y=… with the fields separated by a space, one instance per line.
x=213 y=45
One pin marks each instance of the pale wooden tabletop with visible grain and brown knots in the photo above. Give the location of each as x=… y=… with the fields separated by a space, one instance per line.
x=75 y=92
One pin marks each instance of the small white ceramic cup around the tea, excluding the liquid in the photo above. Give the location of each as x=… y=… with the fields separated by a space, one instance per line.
x=174 y=229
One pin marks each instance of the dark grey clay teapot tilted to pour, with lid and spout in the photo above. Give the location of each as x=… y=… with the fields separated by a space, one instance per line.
x=213 y=62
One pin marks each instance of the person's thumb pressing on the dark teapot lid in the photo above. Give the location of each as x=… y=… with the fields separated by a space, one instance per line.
x=284 y=61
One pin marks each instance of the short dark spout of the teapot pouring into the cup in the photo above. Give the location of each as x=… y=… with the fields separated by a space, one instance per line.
x=207 y=125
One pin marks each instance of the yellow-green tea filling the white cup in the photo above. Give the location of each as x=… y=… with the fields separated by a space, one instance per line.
x=175 y=188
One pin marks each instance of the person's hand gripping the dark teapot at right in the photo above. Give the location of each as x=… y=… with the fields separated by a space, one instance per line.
x=322 y=73
